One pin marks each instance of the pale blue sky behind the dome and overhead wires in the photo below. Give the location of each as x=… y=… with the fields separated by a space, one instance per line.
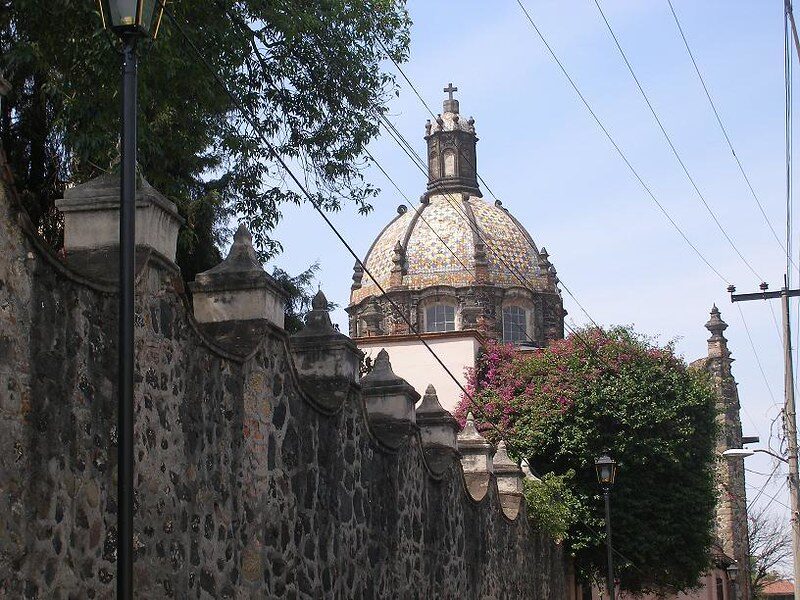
x=543 y=155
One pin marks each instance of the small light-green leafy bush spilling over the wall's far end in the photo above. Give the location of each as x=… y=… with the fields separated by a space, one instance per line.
x=552 y=506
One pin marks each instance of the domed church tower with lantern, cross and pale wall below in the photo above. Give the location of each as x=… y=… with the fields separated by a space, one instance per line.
x=462 y=270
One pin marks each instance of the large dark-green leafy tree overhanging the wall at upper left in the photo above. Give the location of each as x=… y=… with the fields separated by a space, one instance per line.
x=309 y=72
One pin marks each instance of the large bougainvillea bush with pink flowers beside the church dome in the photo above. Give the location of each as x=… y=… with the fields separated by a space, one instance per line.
x=560 y=407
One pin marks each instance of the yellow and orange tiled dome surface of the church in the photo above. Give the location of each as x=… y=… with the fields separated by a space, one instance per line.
x=411 y=242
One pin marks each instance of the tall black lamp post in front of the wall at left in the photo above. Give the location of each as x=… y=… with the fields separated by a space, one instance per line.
x=130 y=20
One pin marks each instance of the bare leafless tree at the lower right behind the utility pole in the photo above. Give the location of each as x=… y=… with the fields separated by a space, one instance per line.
x=770 y=548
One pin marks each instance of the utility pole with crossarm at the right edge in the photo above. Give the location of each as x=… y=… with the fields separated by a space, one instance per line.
x=790 y=419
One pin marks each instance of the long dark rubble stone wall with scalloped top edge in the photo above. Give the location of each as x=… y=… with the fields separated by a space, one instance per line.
x=252 y=481
